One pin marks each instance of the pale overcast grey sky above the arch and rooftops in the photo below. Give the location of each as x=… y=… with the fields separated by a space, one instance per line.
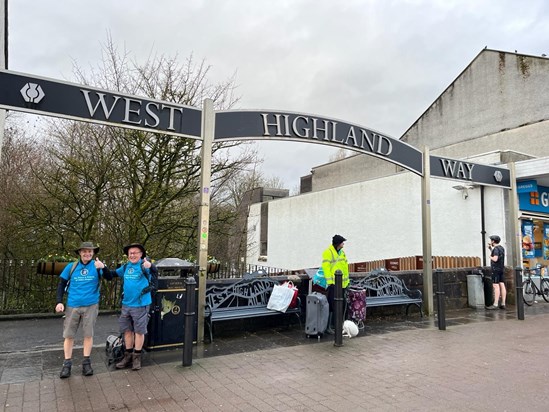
x=377 y=63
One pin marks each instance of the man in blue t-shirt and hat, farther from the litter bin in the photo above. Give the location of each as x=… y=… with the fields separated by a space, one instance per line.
x=81 y=281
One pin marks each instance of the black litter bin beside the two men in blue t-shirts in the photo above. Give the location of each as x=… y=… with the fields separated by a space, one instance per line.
x=166 y=329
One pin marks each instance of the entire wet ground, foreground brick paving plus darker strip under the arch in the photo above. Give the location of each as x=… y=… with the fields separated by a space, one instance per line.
x=395 y=363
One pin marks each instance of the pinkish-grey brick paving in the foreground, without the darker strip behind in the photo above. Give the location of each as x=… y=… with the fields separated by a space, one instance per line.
x=493 y=365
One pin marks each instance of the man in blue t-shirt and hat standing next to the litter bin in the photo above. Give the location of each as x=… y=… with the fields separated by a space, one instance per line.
x=137 y=275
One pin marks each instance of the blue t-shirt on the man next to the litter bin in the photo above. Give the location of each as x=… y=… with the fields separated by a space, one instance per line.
x=134 y=282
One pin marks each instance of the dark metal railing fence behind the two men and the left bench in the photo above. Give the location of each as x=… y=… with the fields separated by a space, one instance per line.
x=24 y=289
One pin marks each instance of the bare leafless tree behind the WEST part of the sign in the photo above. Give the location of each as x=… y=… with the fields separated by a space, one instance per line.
x=114 y=185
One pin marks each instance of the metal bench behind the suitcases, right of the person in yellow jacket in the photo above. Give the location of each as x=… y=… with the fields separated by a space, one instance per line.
x=384 y=289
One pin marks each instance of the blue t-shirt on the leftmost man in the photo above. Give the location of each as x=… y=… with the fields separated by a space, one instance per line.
x=84 y=284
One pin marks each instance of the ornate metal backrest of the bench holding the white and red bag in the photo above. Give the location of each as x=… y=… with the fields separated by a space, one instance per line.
x=244 y=293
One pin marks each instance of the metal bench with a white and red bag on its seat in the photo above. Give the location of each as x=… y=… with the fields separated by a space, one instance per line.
x=246 y=298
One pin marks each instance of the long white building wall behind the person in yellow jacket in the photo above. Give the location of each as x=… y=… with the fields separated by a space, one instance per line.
x=381 y=219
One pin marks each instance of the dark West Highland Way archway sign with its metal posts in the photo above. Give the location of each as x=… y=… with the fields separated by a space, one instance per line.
x=45 y=96
